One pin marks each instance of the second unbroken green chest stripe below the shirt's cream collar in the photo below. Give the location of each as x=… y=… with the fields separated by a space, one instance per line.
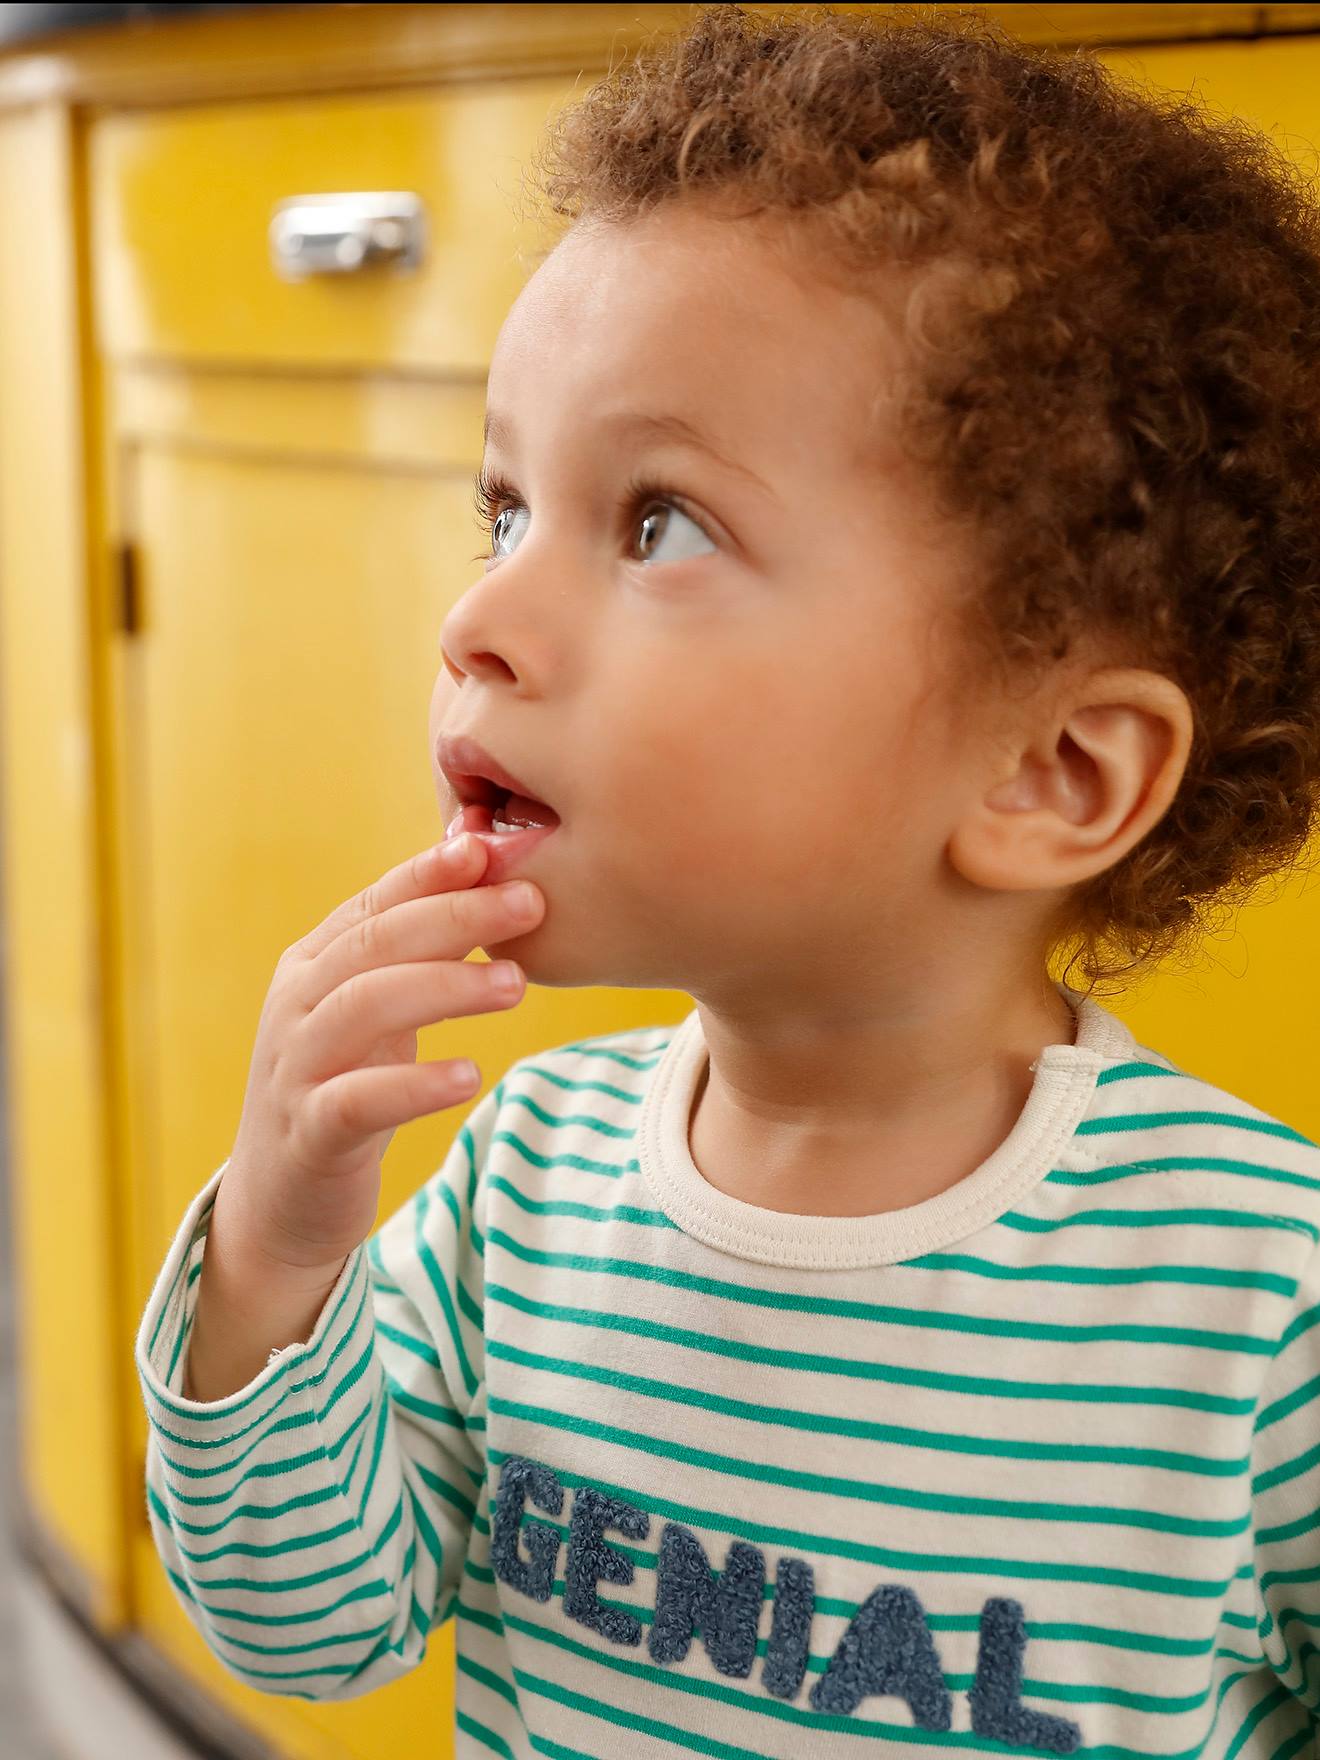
x=818 y=1363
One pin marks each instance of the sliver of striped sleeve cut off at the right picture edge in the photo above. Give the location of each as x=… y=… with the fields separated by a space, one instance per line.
x=1286 y=1497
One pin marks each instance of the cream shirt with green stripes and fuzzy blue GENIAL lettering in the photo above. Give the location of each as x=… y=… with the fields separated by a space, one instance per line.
x=1032 y=1462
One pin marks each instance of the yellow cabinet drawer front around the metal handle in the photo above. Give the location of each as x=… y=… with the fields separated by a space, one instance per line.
x=182 y=205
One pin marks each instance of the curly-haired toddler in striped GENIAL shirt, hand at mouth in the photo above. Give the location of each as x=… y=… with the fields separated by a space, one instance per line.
x=904 y=582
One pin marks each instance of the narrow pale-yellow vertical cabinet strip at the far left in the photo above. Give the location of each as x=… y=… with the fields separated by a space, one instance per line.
x=66 y=1228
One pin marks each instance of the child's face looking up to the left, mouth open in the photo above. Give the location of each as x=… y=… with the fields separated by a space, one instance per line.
x=747 y=738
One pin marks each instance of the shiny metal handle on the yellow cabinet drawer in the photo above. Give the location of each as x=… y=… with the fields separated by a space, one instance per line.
x=342 y=233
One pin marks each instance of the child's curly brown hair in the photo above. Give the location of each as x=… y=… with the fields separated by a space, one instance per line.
x=1115 y=372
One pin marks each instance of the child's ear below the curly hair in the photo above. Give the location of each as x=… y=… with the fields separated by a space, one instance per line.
x=1074 y=796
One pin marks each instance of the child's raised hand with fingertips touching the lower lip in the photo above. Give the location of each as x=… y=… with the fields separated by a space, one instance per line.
x=334 y=1074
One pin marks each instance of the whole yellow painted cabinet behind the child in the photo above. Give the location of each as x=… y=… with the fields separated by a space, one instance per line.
x=293 y=464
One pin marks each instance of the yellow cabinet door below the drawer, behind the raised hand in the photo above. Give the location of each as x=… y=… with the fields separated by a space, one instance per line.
x=275 y=761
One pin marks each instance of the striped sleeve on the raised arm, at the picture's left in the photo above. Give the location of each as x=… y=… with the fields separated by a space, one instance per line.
x=316 y=1522
